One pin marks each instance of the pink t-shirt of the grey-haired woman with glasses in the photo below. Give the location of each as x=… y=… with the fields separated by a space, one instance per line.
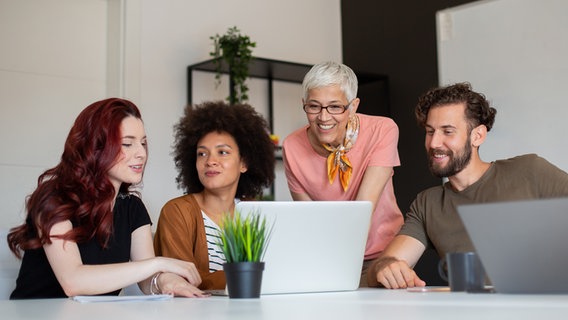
x=376 y=145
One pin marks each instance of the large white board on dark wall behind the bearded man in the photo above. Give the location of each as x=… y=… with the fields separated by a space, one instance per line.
x=515 y=52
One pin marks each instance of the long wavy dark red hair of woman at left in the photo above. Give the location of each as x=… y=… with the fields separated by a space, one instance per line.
x=78 y=188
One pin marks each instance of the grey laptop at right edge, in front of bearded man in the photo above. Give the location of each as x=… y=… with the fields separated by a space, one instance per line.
x=523 y=245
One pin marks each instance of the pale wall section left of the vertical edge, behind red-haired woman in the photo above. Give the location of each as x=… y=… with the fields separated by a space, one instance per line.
x=48 y=72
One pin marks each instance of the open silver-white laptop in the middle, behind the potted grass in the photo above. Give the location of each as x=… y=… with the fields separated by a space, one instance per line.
x=315 y=246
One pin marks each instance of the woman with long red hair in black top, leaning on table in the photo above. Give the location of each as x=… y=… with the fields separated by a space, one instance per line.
x=86 y=232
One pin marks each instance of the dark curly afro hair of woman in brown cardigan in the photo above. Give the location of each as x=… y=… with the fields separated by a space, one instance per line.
x=245 y=125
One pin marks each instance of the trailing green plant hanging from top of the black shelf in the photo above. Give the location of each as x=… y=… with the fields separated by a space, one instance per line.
x=235 y=50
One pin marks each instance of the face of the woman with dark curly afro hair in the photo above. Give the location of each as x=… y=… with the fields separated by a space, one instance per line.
x=219 y=163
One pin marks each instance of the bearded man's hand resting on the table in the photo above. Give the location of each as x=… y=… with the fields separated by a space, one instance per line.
x=396 y=274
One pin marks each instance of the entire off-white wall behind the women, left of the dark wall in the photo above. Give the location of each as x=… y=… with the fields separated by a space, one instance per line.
x=60 y=55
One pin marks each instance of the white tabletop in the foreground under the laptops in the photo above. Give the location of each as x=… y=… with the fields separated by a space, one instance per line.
x=361 y=304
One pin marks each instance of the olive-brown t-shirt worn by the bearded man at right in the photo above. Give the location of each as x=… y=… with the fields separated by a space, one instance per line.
x=433 y=217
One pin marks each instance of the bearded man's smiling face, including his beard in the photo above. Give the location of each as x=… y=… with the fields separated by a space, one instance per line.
x=448 y=141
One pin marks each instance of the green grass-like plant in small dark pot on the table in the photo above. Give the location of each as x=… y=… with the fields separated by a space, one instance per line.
x=243 y=241
